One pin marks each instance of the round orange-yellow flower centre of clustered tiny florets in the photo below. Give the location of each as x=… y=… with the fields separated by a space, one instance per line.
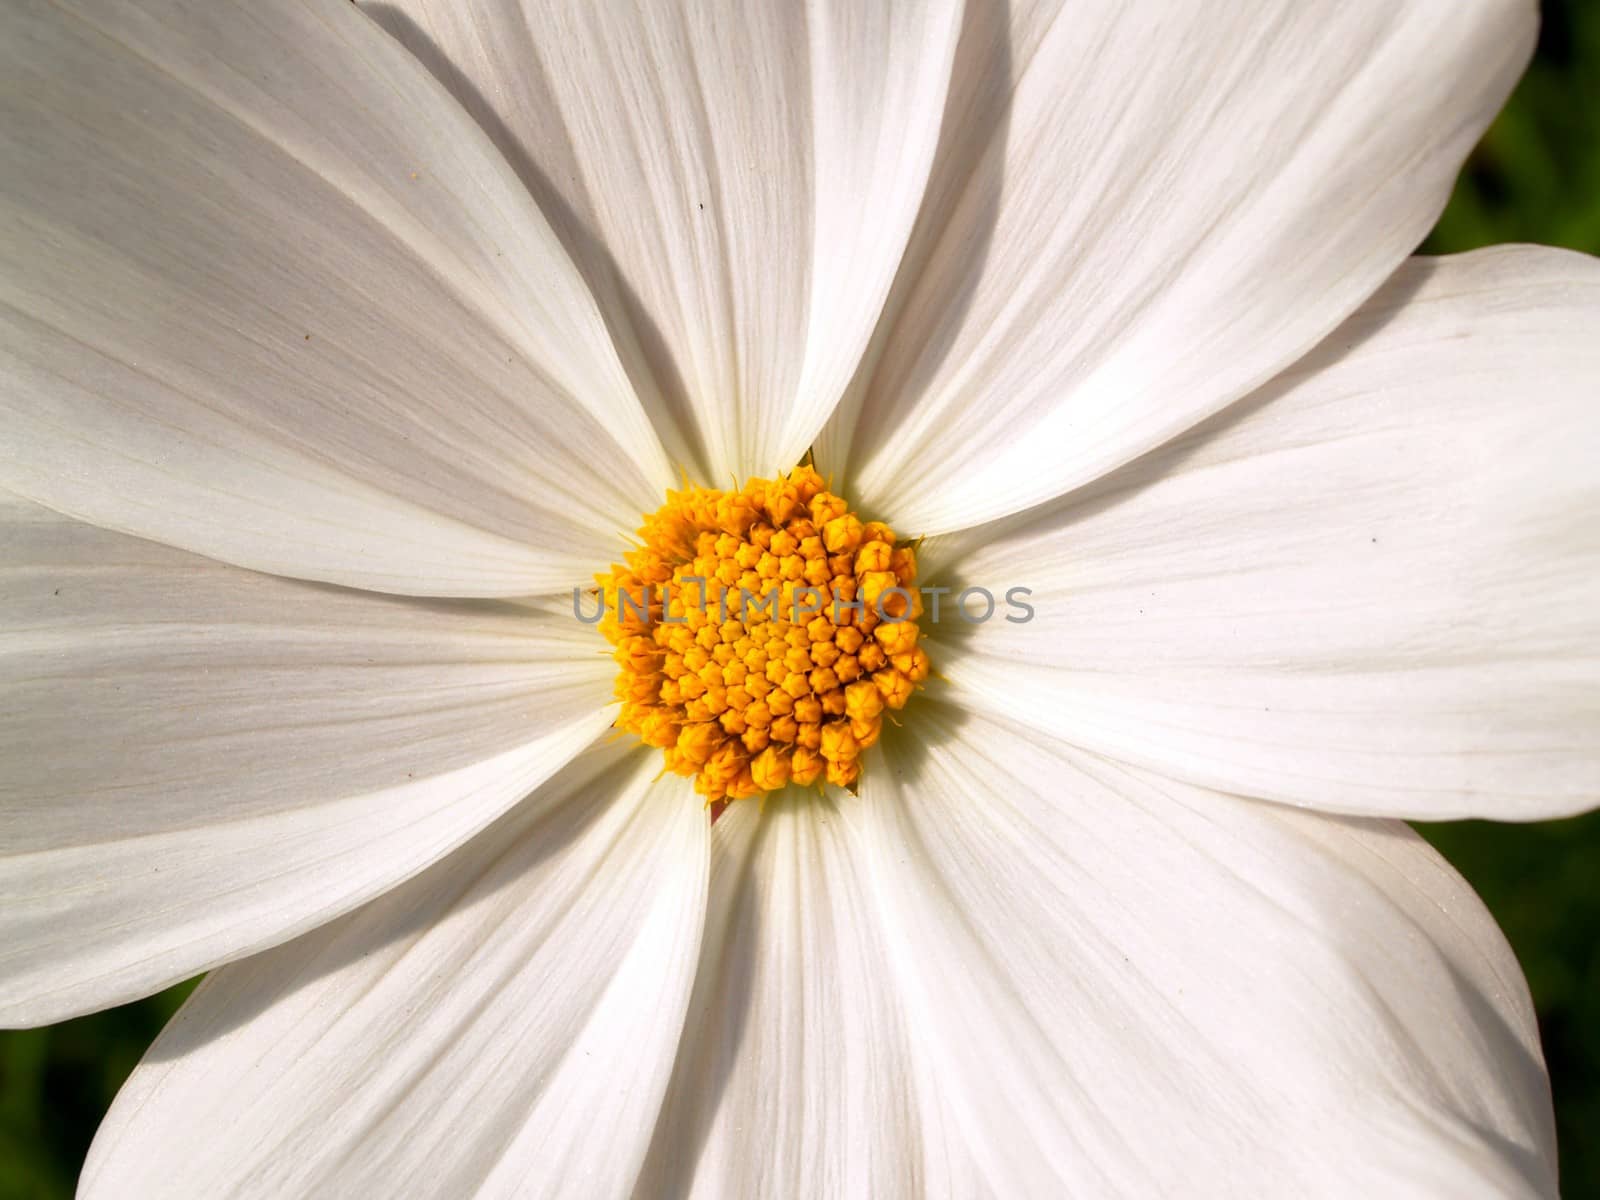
x=762 y=634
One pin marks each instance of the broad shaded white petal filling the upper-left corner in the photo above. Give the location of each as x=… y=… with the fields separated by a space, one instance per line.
x=268 y=294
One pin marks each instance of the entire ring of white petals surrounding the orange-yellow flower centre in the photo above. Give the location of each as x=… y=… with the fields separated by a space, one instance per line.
x=332 y=337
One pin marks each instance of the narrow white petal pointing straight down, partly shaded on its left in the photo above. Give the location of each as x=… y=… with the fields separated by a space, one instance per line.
x=798 y=1074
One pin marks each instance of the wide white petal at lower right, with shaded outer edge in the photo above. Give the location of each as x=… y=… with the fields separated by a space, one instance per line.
x=1137 y=988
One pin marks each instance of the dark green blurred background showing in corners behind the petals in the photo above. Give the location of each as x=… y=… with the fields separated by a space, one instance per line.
x=1535 y=178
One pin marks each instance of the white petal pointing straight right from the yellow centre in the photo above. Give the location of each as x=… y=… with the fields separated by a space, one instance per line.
x=1375 y=588
